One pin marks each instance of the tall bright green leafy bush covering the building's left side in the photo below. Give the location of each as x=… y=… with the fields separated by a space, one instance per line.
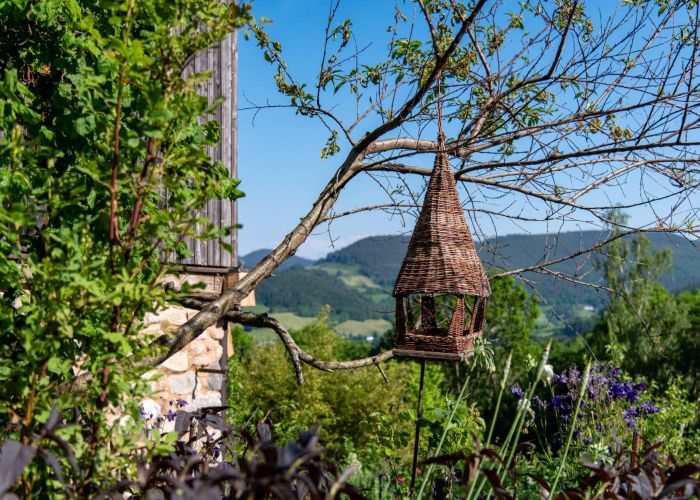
x=103 y=166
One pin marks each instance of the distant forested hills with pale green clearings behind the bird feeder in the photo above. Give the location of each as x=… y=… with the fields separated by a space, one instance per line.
x=357 y=280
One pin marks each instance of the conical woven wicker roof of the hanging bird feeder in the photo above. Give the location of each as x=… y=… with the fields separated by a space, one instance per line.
x=441 y=257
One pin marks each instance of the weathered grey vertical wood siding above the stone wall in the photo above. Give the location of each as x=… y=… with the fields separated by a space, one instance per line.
x=222 y=62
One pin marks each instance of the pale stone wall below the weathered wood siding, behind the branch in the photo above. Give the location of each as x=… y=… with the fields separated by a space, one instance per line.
x=180 y=377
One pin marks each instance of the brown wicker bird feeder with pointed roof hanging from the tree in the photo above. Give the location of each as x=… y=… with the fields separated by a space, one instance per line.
x=442 y=289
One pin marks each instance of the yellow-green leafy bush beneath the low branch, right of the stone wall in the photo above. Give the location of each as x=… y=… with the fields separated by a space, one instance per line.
x=262 y=382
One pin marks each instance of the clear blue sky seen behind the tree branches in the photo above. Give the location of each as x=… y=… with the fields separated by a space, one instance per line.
x=279 y=153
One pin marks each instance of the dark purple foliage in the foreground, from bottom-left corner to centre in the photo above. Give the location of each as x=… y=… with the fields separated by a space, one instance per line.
x=204 y=465
